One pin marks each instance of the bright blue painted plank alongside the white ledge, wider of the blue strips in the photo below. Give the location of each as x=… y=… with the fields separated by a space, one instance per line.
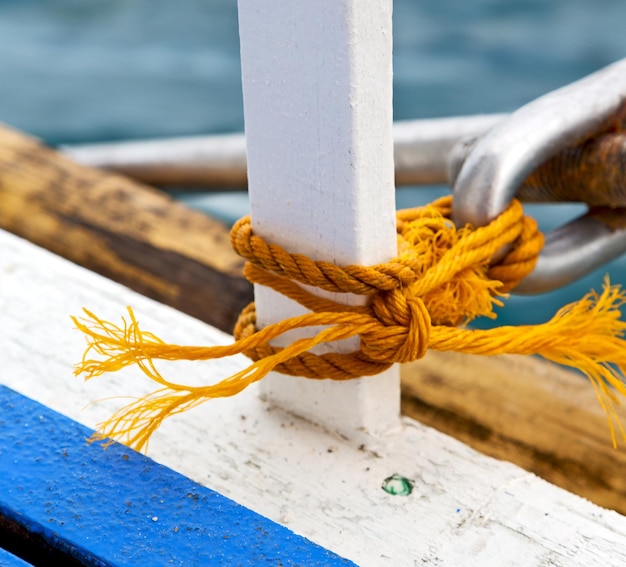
x=116 y=507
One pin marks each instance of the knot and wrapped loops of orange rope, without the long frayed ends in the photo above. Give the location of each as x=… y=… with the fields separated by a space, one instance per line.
x=439 y=278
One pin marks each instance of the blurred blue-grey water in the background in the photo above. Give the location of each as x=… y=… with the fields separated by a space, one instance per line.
x=77 y=71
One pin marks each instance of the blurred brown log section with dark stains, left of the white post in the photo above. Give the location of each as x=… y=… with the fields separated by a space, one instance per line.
x=126 y=231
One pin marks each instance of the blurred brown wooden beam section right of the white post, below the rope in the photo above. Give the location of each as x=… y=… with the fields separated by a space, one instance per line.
x=535 y=414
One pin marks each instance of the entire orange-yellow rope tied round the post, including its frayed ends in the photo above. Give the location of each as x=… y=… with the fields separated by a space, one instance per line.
x=440 y=279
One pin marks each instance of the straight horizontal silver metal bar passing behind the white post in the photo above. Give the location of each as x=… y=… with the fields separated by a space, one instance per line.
x=421 y=149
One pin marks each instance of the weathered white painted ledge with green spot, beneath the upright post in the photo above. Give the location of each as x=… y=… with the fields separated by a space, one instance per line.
x=466 y=509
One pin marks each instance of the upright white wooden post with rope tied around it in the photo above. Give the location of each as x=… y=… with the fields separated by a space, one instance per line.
x=317 y=83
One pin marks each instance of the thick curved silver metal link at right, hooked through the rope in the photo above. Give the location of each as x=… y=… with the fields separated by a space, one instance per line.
x=499 y=162
